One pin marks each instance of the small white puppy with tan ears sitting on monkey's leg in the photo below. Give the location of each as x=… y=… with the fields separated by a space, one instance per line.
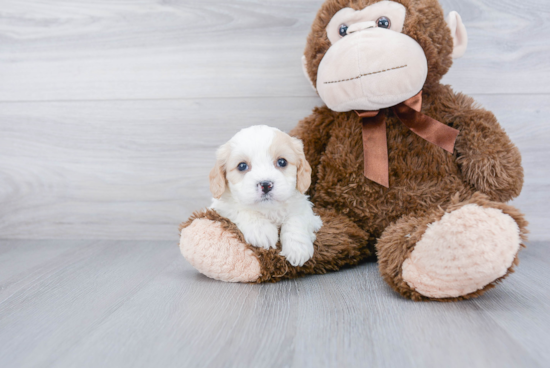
x=259 y=182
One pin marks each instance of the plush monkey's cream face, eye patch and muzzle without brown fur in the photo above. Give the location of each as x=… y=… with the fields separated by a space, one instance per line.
x=370 y=65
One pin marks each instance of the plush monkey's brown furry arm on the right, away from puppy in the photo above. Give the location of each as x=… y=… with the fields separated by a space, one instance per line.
x=487 y=157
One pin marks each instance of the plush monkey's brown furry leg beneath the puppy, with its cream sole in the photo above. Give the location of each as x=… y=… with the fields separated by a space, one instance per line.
x=339 y=243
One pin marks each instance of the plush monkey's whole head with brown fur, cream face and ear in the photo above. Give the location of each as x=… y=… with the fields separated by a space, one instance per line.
x=373 y=57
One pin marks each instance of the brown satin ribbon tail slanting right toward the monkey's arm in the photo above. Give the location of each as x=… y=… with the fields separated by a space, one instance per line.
x=430 y=129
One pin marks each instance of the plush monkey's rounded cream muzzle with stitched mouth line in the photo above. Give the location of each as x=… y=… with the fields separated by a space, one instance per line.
x=371 y=69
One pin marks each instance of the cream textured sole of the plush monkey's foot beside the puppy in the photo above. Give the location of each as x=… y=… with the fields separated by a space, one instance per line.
x=218 y=253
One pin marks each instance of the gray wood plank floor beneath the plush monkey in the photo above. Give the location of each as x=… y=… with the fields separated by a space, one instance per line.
x=139 y=304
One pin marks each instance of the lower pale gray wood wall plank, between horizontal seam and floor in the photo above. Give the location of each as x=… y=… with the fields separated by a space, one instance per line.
x=136 y=169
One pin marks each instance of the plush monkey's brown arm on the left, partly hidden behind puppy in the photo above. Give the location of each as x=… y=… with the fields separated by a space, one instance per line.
x=314 y=131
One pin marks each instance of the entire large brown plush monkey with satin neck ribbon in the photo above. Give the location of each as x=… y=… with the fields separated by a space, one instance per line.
x=436 y=221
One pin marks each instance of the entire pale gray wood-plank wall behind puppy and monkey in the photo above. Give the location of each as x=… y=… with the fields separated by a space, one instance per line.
x=110 y=112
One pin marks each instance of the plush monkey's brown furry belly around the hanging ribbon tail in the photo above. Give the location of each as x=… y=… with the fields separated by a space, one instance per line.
x=422 y=176
